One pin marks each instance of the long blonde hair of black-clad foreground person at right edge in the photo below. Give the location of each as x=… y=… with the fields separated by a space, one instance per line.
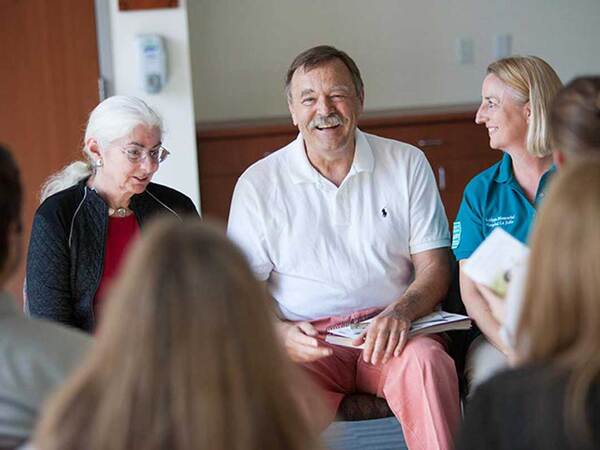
x=560 y=322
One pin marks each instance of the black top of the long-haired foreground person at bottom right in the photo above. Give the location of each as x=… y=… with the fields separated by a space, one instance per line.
x=523 y=409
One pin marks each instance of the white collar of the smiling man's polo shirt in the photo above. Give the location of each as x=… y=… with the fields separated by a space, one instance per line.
x=302 y=171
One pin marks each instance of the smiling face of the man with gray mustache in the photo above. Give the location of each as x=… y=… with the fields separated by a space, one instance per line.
x=325 y=107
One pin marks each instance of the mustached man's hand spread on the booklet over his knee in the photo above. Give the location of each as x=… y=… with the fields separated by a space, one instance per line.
x=385 y=337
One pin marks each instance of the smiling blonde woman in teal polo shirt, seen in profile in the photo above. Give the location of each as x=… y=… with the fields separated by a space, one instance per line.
x=516 y=96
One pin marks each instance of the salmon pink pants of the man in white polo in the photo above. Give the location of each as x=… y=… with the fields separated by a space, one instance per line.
x=420 y=385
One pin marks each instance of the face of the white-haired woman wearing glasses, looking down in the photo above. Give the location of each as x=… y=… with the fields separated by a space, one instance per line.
x=119 y=176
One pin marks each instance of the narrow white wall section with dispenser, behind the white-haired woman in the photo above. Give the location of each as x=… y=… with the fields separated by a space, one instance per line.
x=175 y=101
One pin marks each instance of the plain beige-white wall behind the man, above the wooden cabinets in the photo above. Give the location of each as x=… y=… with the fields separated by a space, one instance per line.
x=405 y=49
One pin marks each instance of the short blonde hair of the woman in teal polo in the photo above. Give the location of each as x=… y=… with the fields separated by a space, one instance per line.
x=532 y=80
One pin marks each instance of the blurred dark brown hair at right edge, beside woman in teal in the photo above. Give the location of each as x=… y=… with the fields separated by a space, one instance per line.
x=575 y=118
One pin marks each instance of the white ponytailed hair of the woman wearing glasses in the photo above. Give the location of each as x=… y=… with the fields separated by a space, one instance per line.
x=112 y=119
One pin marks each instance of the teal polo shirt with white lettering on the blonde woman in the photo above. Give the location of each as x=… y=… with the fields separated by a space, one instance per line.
x=493 y=199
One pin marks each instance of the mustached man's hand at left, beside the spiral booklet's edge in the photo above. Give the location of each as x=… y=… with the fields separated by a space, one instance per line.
x=301 y=343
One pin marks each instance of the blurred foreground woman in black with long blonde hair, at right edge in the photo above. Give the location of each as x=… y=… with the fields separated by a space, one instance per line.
x=553 y=400
